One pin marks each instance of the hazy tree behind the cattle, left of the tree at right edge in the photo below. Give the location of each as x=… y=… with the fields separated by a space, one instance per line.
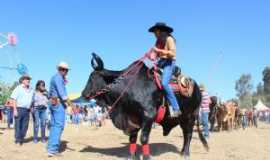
x=243 y=88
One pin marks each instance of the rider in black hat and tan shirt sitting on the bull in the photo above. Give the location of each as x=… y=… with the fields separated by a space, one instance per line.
x=165 y=49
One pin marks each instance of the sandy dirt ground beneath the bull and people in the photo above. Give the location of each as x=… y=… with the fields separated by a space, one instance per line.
x=107 y=143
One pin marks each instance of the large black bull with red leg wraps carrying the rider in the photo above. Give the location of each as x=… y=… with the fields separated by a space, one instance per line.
x=137 y=109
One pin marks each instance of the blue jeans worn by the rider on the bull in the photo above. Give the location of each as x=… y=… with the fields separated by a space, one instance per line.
x=168 y=66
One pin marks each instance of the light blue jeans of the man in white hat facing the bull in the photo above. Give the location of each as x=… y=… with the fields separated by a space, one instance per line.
x=57 y=125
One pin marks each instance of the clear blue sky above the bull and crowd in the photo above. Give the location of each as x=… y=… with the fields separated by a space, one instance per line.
x=51 y=31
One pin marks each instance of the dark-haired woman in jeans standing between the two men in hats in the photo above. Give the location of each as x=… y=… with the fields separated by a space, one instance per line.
x=39 y=110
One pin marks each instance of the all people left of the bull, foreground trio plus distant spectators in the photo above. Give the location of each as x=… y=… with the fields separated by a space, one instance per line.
x=49 y=109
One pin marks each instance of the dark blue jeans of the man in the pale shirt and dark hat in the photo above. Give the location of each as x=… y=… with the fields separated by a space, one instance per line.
x=21 y=124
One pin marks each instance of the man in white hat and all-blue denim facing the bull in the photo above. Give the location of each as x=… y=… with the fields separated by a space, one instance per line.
x=58 y=98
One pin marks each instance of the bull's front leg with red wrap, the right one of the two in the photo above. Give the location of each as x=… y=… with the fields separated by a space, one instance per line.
x=146 y=129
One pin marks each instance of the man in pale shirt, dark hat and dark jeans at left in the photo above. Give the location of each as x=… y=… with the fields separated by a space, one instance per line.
x=21 y=100
